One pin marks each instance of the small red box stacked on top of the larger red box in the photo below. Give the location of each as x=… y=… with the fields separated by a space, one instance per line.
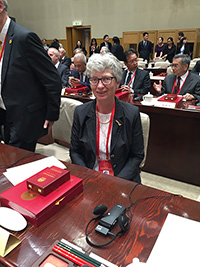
x=47 y=180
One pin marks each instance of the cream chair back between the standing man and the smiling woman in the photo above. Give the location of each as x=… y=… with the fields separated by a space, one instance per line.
x=61 y=129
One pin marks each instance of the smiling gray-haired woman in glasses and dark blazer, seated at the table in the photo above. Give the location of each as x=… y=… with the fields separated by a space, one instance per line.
x=107 y=133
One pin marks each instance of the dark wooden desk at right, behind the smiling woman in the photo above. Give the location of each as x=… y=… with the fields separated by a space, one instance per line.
x=174 y=147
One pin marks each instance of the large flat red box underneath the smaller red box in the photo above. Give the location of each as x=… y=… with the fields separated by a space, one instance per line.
x=36 y=208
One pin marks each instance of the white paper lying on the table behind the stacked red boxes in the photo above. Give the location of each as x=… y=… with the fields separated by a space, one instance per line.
x=20 y=173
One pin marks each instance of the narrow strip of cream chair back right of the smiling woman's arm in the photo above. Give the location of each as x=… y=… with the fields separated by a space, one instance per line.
x=145 y=128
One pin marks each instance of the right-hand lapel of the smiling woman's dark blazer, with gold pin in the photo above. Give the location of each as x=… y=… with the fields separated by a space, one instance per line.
x=117 y=124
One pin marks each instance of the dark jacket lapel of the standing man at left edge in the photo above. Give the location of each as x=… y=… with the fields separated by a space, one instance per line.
x=7 y=51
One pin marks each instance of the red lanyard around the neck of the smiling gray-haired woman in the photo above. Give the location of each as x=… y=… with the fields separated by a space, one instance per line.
x=109 y=131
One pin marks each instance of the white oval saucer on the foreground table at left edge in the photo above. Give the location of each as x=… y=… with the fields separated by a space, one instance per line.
x=11 y=219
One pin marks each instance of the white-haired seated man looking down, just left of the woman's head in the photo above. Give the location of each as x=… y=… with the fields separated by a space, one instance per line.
x=78 y=74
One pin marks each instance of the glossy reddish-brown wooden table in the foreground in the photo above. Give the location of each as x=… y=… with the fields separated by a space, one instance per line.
x=149 y=210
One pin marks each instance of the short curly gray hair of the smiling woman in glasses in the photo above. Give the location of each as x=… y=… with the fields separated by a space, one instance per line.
x=102 y=62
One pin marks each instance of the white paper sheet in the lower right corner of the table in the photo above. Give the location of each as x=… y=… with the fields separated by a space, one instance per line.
x=177 y=244
